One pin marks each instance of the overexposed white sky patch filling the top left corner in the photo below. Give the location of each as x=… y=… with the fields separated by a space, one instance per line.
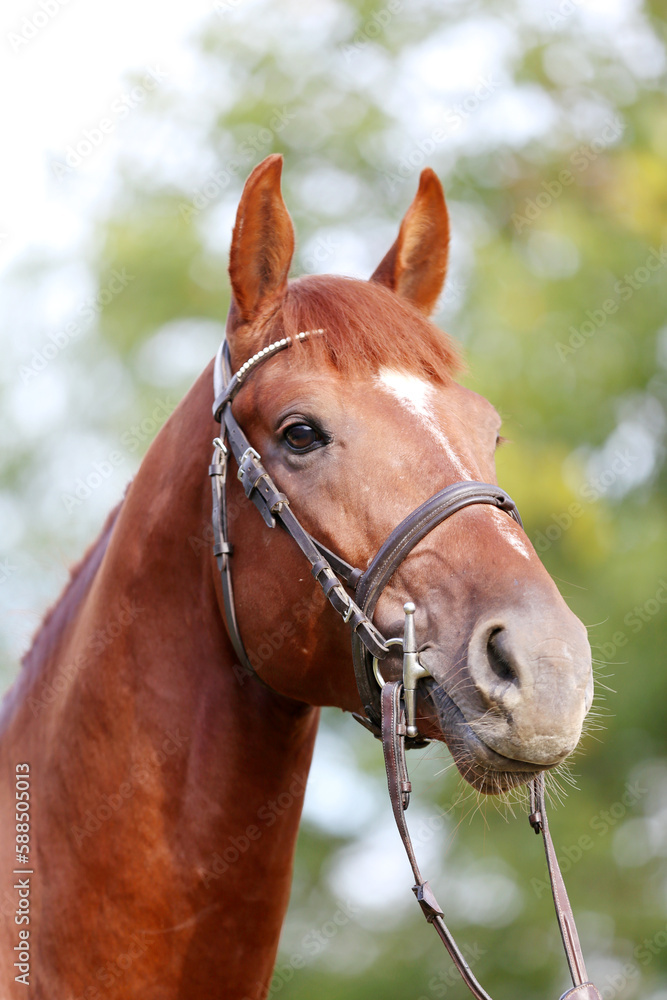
x=64 y=64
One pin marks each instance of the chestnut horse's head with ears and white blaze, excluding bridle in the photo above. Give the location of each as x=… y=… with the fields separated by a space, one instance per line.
x=359 y=423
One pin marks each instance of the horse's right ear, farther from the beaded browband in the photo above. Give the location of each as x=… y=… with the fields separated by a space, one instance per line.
x=416 y=265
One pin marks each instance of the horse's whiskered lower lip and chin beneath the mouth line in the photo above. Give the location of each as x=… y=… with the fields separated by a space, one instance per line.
x=482 y=767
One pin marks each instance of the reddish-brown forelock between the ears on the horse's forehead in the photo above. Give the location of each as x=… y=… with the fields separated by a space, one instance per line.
x=367 y=327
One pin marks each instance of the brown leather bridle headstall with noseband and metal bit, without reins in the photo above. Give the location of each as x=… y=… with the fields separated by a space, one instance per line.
x=330 y=570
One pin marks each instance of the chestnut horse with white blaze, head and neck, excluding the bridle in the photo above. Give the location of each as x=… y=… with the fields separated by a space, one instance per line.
x=165 y=782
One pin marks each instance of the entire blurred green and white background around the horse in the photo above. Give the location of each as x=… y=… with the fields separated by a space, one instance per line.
x=129 y=131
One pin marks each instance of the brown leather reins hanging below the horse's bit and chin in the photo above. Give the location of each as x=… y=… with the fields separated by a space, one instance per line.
x=398 y=782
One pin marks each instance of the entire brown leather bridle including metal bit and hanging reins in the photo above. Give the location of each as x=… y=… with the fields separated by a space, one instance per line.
x=389 y=706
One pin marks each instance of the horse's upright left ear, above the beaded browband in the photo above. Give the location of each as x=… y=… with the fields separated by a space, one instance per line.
x=262 y=245
